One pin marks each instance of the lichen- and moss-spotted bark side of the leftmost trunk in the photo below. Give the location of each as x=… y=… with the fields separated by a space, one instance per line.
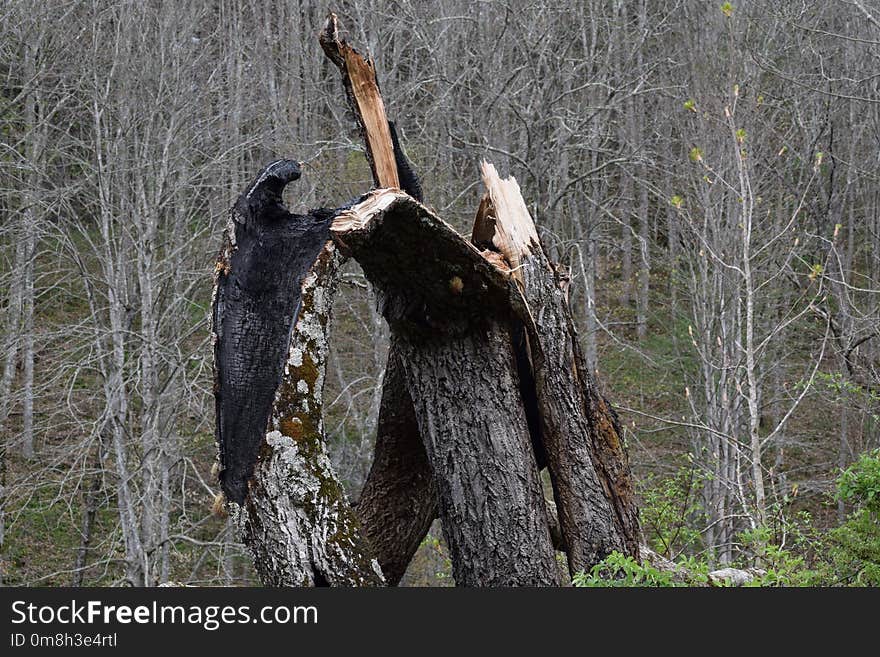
x=296 y=520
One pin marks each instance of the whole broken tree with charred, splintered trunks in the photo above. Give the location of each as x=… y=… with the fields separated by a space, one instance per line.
x=484 y=373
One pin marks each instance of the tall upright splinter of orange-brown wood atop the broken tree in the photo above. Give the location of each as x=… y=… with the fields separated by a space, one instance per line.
x=359 y=79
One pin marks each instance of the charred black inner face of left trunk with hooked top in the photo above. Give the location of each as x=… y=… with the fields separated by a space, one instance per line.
x=259 y=274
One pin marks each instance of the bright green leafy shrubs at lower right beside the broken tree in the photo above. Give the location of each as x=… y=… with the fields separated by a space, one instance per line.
x=792 y=553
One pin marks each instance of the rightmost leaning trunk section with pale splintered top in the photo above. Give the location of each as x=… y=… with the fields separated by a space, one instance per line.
x=586 y=458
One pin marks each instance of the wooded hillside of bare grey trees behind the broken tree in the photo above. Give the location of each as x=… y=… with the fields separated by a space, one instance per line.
x=705 y=174
